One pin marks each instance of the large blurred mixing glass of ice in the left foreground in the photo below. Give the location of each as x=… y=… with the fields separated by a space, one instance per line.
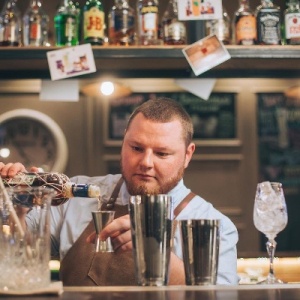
x=25 y=247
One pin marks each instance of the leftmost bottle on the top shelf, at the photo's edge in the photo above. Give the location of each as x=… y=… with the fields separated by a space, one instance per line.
x=10 y=24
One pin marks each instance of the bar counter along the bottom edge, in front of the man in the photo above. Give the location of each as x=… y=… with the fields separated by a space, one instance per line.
x=241 y=292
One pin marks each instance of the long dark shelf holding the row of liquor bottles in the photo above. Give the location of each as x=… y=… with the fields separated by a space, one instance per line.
x=158 y=61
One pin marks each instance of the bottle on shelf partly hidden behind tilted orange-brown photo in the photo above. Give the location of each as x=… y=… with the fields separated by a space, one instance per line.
x=220 y=27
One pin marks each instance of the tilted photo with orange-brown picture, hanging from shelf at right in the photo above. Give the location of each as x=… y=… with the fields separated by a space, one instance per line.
x=205 y=54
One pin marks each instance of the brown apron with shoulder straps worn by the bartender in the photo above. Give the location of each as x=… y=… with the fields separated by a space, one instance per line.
x=82 y=266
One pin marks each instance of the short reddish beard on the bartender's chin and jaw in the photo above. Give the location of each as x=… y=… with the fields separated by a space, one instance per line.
x=144 y=188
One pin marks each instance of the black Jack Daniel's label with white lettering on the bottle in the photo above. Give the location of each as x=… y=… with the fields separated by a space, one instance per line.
x=269 y=28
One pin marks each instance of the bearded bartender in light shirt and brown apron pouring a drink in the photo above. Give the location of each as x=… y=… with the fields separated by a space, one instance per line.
x=157 y=148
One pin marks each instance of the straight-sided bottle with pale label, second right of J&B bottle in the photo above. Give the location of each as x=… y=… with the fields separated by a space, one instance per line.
x=147 y=18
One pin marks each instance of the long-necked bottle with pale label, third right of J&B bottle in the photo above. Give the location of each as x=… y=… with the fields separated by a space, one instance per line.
x=173 y=30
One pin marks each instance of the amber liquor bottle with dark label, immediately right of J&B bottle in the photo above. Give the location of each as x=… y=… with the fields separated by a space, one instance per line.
x=121 y=24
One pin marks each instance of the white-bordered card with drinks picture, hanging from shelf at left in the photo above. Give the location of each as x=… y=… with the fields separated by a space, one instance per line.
x=71 y=61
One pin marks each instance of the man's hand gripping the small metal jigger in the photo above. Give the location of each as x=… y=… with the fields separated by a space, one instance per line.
x=119 y=231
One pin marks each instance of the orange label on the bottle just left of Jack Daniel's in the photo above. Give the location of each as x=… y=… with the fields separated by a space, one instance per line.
x=246 y=29
